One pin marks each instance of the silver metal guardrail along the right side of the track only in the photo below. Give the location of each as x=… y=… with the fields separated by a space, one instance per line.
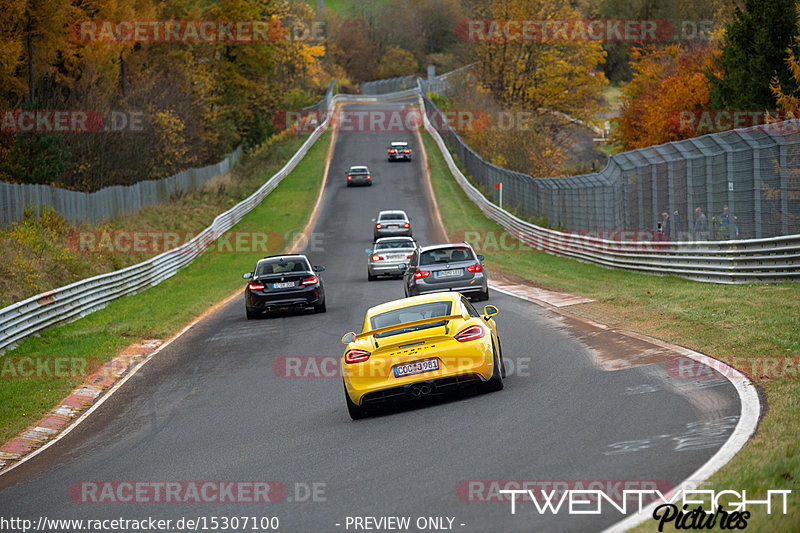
x=739 y=261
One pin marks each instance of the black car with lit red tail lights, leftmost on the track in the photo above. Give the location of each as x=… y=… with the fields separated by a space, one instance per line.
x=283 y=282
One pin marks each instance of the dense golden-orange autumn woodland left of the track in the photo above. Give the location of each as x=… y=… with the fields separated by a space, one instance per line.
x=200 y=100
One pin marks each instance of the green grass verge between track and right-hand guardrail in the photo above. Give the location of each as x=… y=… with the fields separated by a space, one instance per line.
x=742 y=325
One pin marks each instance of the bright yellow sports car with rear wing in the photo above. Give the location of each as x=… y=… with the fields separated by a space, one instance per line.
x=417 y=346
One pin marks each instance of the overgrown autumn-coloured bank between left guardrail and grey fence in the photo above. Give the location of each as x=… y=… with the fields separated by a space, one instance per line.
x=48 y=244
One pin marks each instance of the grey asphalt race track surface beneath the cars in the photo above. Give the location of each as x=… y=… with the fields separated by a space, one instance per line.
x=215 y=406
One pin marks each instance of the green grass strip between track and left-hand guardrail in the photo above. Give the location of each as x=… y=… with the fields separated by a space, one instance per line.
x=159 y=311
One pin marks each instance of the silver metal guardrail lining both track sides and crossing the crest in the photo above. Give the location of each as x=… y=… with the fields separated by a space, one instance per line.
x=737 y=261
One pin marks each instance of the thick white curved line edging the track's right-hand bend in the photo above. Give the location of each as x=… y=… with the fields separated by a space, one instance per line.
x=745 y=428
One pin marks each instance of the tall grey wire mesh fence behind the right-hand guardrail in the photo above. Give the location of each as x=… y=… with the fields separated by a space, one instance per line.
x=736 y=184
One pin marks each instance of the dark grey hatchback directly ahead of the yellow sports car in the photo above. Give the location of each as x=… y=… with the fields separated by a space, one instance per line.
x=446 y=267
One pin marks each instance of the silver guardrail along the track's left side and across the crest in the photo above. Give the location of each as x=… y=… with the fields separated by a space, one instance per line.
x=81 y=298
